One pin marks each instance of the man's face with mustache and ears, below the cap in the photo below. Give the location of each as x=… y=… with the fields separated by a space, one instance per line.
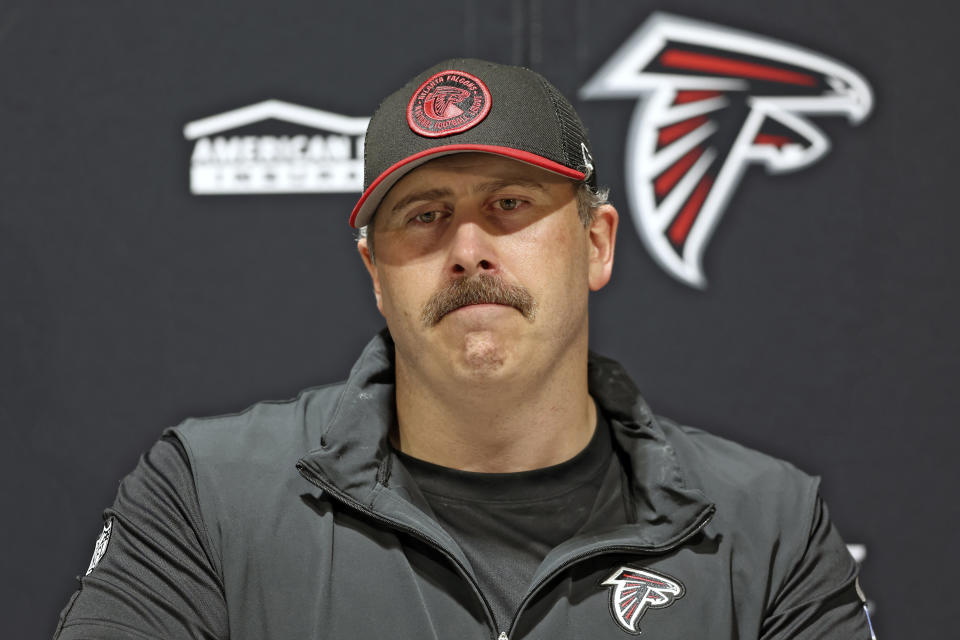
x=483 y=267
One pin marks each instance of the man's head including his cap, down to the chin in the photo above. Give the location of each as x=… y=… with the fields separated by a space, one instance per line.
x=489 y=231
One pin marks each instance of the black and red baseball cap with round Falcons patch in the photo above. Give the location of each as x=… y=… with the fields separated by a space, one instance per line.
x=467 y=105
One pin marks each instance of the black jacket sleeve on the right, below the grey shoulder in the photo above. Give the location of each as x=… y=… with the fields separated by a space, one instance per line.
x=819 y=598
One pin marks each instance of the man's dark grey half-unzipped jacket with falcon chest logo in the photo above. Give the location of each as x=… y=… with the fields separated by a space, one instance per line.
x=723 y=543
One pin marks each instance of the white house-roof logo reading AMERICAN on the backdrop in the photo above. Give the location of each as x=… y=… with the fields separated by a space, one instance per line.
x=327 y=160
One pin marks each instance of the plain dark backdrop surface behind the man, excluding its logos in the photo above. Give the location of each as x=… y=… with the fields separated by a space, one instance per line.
x=126 y=304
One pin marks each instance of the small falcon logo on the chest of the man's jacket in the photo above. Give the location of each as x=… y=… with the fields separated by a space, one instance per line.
x=633 y=591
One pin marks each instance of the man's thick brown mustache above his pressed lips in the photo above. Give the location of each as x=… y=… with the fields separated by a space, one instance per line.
x=480 y=289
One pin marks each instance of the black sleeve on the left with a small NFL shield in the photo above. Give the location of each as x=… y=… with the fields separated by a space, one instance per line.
x=153 y=575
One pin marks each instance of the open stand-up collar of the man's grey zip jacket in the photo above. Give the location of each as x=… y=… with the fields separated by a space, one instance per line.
x=354 y=458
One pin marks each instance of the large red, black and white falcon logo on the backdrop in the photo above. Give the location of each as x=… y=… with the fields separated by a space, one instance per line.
x=715 y=100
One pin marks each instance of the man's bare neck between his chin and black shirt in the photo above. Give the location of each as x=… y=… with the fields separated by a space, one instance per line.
x=514 y=425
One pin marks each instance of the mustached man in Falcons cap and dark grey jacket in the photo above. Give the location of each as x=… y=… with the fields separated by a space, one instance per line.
x=479 y=474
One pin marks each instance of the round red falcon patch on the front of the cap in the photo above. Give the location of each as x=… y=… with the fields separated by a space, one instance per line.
x=448 y=102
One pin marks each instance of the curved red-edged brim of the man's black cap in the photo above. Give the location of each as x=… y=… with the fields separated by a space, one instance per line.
x=367 y=204
